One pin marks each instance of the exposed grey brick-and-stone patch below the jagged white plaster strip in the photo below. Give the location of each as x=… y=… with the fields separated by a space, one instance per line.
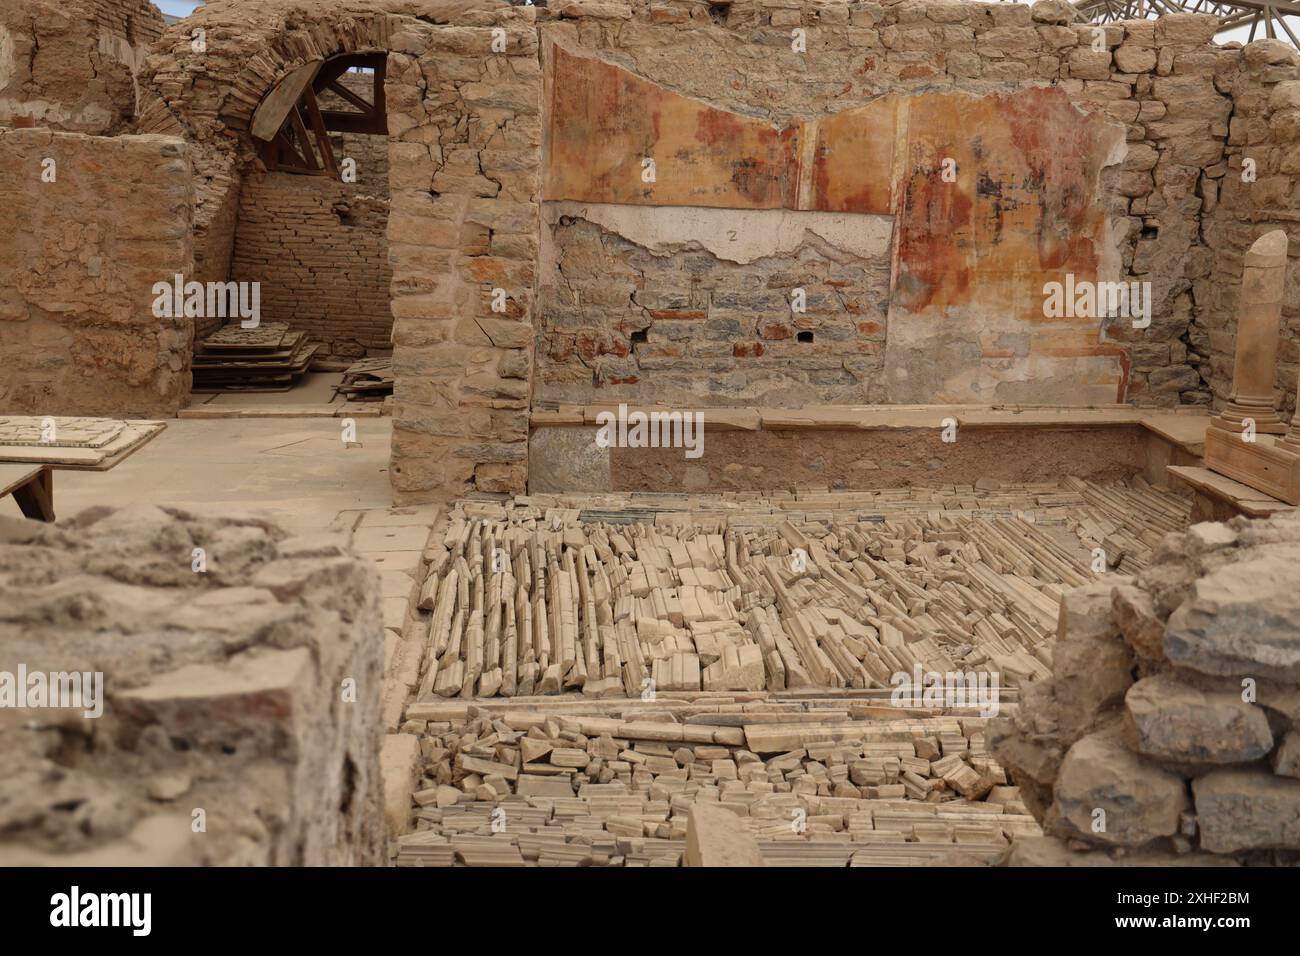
x=652 y=325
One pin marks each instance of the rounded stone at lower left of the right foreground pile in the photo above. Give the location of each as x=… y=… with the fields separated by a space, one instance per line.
x=1141 y=802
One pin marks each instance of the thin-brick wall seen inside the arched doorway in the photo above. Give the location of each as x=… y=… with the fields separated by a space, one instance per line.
x=320 y=250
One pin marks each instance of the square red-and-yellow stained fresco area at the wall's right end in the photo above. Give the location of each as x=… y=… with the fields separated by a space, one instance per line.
x=1024 y=210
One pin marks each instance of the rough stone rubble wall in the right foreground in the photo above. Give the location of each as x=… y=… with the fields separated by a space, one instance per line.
x=1171 y=728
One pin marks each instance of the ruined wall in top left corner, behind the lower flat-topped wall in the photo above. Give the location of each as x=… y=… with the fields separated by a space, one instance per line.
x=72 y=64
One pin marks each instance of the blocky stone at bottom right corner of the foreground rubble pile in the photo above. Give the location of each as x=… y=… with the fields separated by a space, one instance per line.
x=1247 y=810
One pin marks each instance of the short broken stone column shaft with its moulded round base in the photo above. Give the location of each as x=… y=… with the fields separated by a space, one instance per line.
x=1259 y=314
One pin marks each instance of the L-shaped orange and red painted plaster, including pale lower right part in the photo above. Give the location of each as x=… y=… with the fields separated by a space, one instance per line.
x=991 y=198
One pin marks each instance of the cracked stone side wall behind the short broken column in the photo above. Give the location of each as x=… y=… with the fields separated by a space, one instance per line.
x=1253 y=194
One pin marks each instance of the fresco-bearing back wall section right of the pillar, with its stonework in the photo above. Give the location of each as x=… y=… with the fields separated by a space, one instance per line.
x=790 y=136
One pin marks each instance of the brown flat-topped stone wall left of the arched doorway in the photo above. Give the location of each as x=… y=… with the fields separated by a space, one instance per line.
x=94 y=224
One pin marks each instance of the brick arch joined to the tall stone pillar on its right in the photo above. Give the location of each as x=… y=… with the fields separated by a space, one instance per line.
x=465 y=159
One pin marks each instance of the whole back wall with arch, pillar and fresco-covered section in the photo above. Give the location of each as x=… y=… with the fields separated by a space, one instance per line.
x=801 y=149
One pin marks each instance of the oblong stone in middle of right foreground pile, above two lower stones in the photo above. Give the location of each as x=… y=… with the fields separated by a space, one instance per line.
x=1177 y=723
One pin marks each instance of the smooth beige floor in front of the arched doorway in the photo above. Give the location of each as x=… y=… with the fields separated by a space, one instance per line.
x=296 y=469
